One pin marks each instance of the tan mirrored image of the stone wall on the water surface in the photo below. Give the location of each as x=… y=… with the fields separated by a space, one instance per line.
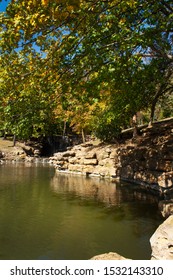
x=111 y=194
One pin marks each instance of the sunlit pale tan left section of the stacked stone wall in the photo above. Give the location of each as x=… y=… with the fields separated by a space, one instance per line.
x=88 y=160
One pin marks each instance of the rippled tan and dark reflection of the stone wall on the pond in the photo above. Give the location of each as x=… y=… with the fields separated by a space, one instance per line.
x=104 y=193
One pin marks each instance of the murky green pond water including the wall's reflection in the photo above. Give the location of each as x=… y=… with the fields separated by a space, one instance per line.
x=44 y=215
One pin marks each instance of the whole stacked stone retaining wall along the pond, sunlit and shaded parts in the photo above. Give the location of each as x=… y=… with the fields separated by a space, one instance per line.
x=147 y=160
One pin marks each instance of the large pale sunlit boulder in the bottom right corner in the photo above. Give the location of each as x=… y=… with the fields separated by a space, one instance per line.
x=162 y=241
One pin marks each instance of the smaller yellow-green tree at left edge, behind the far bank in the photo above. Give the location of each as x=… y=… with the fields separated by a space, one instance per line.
x=27 y=101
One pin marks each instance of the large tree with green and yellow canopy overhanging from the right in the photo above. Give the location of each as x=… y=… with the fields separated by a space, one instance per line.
x=123 y=47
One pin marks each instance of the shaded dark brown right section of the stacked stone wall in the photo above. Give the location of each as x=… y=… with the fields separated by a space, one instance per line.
x=150 y=161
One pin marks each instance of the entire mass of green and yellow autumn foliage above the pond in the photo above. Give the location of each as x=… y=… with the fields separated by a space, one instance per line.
x=58 y=59
